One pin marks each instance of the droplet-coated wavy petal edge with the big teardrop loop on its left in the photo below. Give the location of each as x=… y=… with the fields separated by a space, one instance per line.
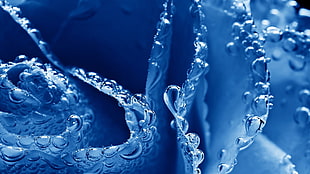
x=179 y=99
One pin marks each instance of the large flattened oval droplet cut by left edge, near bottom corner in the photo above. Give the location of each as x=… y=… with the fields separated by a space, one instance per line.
x=12 y=154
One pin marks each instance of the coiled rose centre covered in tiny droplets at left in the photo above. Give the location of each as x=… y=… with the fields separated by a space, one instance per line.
x=42 y=116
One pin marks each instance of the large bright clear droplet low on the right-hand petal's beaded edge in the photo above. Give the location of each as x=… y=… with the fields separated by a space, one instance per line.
x=253 y=125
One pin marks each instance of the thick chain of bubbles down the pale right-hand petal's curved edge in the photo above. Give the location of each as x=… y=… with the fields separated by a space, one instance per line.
x=258 y=99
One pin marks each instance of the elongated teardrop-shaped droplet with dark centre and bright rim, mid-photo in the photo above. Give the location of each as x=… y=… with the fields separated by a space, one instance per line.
x=171 y=95
